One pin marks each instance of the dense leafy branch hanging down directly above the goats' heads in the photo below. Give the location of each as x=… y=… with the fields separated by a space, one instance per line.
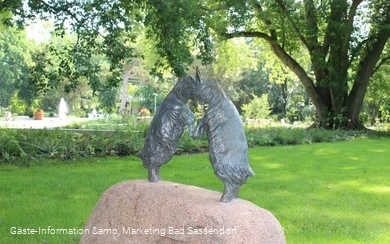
x=177 y=30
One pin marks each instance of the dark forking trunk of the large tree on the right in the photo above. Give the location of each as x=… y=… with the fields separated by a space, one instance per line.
x=336 y=108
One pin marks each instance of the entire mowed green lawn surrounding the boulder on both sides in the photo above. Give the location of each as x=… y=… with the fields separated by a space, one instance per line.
x=320 y=193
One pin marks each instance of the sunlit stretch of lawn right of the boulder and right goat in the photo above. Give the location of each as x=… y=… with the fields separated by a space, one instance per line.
x=326 y=193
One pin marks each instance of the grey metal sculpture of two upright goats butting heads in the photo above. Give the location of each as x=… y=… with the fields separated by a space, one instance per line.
x=228 y=150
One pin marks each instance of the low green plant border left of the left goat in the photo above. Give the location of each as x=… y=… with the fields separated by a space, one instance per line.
x=23 y=146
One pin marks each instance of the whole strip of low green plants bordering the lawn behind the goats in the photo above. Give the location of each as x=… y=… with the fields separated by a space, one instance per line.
x=128 y=135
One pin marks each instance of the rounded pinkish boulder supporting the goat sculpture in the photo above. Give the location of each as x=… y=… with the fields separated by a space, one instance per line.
x=142 y=212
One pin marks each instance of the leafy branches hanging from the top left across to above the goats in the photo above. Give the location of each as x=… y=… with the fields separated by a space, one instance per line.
x=109 y=29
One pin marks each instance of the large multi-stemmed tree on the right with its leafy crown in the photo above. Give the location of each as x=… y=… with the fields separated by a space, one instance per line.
x=343 y=51
